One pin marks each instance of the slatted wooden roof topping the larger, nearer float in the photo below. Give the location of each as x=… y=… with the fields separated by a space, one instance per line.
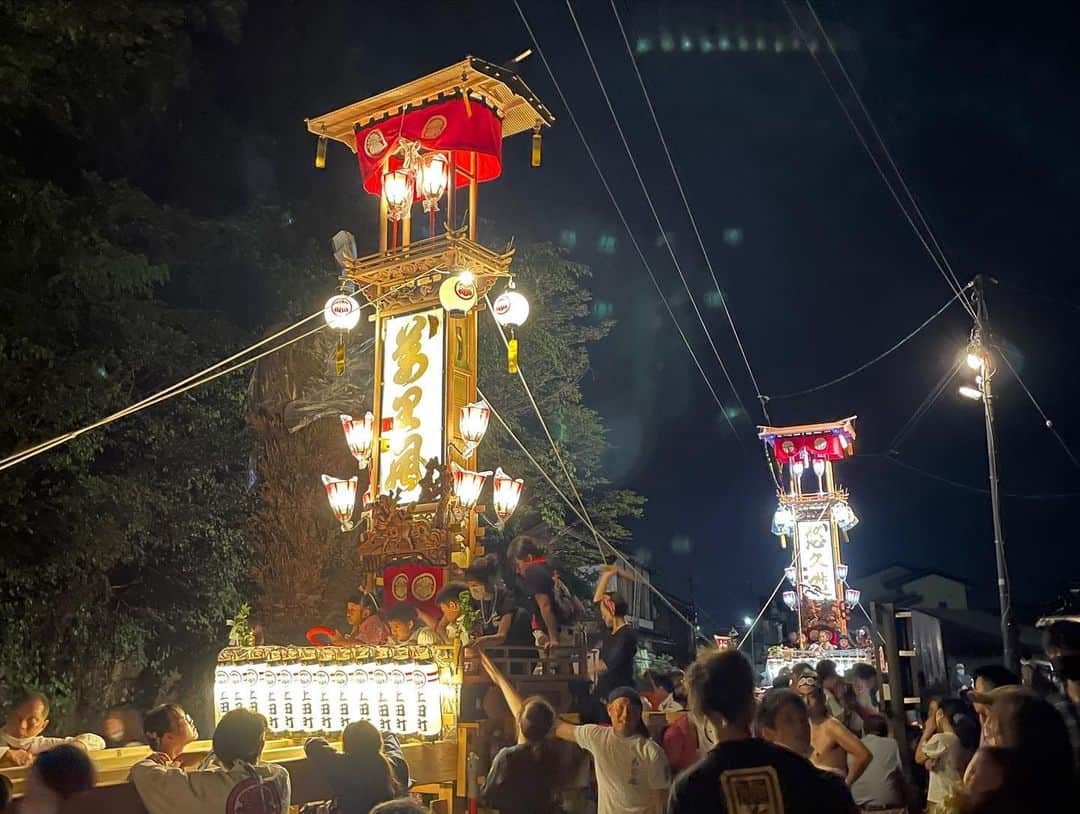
x=502 y=88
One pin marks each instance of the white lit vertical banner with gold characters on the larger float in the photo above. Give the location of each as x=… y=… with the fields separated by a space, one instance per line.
x=414 y=351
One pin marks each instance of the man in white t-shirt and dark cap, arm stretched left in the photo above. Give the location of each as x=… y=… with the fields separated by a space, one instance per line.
x=632 y=772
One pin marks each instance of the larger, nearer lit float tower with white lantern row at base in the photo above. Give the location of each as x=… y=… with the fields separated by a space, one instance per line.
x=412 y=513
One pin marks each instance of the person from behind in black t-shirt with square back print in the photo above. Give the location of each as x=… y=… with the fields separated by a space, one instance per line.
x=742 y=774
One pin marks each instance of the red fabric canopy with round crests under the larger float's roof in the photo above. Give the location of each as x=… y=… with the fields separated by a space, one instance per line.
x=451 y=127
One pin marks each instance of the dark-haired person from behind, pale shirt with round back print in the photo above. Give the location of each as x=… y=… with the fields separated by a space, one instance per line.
x=240 y=783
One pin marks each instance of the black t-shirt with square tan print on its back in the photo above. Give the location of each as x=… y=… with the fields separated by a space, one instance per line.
x=754 y=777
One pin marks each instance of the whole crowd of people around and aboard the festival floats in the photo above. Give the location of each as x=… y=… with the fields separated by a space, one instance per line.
x=708 y=739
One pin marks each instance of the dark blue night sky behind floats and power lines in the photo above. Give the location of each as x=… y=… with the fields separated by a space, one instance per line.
x=818 y=265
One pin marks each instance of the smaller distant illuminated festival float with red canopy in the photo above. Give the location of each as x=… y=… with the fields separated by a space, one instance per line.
x=815 y=517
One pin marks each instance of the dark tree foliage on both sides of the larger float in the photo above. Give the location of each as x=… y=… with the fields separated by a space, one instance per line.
x=124 y=270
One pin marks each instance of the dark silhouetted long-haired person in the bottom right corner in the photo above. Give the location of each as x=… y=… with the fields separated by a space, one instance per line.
x=1025 y=763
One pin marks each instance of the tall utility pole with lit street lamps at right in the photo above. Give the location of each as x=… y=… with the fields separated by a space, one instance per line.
x=982 y=343
